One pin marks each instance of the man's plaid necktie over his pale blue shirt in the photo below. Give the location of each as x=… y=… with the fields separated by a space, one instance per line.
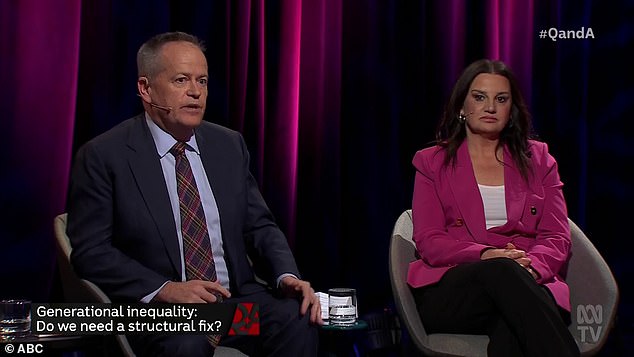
x=199 y=262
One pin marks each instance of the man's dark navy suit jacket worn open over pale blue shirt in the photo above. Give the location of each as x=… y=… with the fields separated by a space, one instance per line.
x=120 y=221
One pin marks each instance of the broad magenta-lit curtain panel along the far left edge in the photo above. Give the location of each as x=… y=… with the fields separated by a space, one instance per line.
x=39 y=54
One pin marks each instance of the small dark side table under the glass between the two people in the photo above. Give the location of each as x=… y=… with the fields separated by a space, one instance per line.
x=341 y=340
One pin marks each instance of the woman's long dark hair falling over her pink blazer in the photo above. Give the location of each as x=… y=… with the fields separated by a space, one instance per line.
x=451 y=131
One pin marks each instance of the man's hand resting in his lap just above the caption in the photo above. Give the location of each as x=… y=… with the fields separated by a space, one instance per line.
x=192 y=291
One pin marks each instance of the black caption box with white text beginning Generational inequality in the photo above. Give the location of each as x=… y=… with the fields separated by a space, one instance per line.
x=86 y=319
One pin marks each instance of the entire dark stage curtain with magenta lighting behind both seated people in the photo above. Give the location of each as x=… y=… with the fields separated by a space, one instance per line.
x=333 y=98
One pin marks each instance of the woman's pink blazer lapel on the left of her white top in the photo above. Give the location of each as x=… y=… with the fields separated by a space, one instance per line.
x=464 y=186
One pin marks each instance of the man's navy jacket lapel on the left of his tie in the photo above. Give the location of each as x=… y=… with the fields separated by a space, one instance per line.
x=146 y=169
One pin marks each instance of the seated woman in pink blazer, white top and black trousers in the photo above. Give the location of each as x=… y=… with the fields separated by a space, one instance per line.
x=490 y=223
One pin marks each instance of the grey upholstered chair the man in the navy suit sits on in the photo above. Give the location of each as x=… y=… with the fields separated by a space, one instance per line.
x=81 y=290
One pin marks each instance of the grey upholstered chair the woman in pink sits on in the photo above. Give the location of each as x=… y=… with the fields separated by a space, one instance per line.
x=593 y=289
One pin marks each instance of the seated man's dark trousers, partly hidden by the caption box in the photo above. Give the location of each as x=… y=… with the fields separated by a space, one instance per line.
x=283 y=332
